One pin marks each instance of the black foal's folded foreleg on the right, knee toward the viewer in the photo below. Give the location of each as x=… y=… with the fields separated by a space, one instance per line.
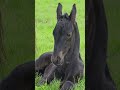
x=72 y=76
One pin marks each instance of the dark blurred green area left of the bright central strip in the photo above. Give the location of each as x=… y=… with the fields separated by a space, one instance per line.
x=19 y=33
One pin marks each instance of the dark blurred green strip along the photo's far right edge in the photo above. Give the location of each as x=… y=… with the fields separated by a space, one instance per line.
x=112 y=9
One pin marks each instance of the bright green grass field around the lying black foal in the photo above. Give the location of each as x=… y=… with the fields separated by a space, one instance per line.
x=45 y=20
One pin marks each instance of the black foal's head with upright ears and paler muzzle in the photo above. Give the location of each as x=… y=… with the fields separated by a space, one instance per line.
x=64 y=34
